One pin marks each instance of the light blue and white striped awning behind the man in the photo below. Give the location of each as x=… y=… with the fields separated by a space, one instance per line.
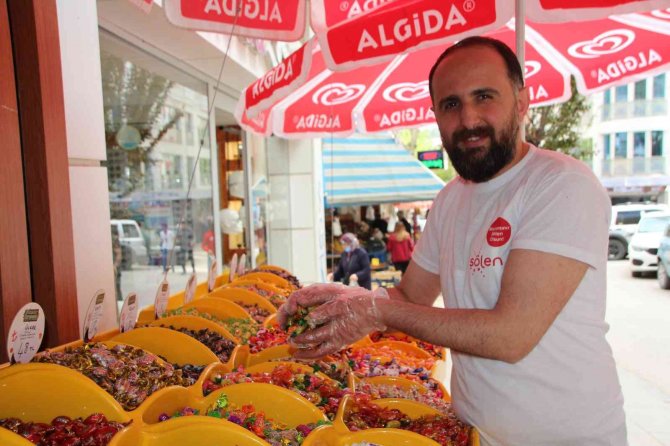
x=365 y=170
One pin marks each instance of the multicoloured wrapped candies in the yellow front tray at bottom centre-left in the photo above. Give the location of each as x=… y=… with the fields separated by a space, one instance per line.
x=253 y=420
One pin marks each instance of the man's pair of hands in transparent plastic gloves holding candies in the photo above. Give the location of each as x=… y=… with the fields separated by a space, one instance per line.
x=344 y=315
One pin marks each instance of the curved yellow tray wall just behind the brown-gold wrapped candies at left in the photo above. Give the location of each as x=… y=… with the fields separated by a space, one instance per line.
x=176 y=347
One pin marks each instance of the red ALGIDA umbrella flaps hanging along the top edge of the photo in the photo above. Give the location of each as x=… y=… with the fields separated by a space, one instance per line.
x=364 y=32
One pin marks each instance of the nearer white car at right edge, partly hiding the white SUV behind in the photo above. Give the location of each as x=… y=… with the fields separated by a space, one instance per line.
x=643 y=247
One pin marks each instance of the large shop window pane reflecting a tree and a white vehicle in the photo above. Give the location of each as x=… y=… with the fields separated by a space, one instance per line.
x=152 y=116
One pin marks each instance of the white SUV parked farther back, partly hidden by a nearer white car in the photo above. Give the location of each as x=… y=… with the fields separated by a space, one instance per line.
x=625 y=218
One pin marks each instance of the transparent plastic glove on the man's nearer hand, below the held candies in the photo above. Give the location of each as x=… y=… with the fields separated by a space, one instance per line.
x=340 y=322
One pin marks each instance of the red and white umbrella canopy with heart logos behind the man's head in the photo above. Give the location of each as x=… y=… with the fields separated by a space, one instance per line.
x=600 y=54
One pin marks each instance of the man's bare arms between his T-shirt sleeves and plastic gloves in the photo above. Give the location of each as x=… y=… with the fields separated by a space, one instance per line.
x=535 y=287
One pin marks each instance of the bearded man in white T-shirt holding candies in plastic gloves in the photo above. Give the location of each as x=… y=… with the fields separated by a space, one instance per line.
x=517 y=247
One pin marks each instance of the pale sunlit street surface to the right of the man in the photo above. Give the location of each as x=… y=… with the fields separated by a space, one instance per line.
x=638 y=312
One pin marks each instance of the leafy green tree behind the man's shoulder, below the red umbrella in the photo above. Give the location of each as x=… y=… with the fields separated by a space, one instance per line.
x=558 y=127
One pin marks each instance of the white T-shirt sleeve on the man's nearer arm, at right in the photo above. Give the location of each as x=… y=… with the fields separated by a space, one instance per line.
x=569 y=216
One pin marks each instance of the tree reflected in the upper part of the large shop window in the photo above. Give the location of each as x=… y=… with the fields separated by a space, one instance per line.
x=136 y=97
